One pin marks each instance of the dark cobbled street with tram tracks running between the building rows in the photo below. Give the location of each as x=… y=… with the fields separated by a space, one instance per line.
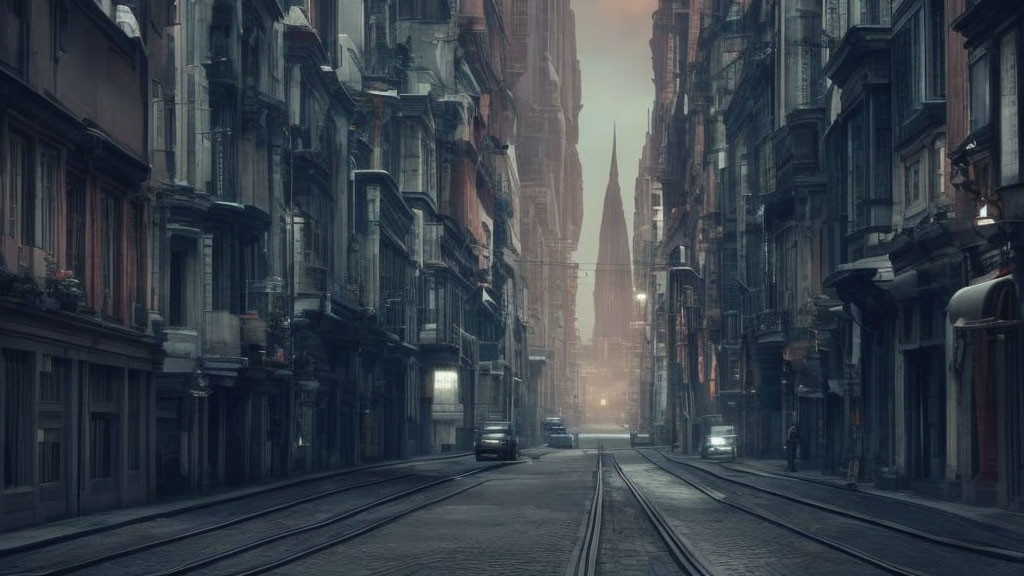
x=534 y=516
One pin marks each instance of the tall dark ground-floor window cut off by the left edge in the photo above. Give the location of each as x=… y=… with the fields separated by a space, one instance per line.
x=17 y=407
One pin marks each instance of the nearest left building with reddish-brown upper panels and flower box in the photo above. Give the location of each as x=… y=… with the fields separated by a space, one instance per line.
x=77 y=351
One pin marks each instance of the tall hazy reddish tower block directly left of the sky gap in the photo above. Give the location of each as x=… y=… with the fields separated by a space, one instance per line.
x=548 y=97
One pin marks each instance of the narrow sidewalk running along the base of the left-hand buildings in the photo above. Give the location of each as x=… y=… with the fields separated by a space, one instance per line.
x=34 y=537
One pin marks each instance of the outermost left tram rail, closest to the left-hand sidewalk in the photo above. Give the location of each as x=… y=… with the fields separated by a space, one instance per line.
x=255 y=493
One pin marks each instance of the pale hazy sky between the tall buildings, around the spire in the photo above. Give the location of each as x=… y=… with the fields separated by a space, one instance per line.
x=613 y=39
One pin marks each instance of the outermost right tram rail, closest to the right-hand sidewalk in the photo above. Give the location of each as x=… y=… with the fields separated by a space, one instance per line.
x=993 y=552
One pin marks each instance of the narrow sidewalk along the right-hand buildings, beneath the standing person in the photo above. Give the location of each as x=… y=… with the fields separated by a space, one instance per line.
x=999 y=518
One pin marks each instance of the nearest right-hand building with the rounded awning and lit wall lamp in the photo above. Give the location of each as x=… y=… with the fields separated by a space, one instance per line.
x=986 y=412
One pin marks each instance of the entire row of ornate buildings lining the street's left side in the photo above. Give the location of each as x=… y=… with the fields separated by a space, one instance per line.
x=290 y=240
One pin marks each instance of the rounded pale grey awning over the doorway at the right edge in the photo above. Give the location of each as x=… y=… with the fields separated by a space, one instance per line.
x=990 y=305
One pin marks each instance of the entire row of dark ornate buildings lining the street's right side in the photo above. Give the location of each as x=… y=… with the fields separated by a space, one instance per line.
x=855 y=168
